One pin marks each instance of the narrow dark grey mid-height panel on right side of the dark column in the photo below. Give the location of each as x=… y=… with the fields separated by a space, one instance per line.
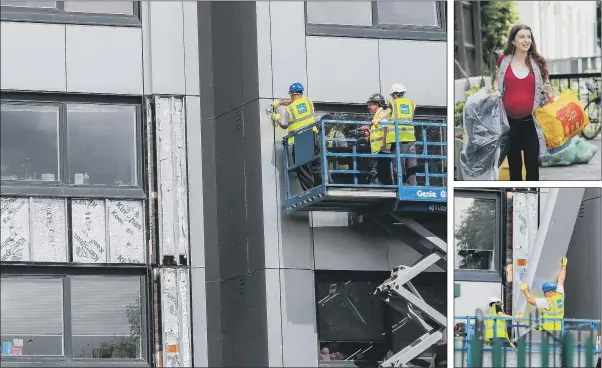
x=253 y=186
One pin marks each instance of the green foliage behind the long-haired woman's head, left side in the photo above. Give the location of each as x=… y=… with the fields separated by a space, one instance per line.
x=497 y=18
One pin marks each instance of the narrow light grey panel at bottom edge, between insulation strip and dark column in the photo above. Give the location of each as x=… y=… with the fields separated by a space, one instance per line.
x=198 y=309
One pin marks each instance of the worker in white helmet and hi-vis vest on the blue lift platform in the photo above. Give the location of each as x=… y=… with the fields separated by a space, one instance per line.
x=400 y=108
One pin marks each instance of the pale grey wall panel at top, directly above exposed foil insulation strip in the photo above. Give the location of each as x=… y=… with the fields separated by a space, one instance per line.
x=166 y=47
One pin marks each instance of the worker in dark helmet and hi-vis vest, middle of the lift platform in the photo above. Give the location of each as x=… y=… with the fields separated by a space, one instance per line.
x=379 y=167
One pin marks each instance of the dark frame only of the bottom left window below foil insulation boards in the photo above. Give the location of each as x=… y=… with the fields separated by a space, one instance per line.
x=64 y=273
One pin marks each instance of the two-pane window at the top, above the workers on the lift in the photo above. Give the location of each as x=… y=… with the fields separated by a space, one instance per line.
x=423 y=20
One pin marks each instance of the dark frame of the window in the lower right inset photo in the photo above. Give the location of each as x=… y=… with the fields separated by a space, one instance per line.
x=494 y=275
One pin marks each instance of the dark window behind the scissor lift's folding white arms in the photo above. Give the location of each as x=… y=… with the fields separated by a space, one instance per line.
x=355 y=324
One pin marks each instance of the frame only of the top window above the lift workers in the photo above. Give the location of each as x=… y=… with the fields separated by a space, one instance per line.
x=383 y=31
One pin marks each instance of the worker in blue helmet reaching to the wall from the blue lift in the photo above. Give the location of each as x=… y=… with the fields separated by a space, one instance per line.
x=299 y=113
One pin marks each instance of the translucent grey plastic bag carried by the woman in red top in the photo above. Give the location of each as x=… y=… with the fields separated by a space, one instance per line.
x=486 y=128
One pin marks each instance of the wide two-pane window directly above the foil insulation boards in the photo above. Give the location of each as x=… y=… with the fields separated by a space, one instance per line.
x=70 y=145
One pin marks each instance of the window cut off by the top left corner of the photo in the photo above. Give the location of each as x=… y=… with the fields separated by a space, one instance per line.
x=119 y=13
